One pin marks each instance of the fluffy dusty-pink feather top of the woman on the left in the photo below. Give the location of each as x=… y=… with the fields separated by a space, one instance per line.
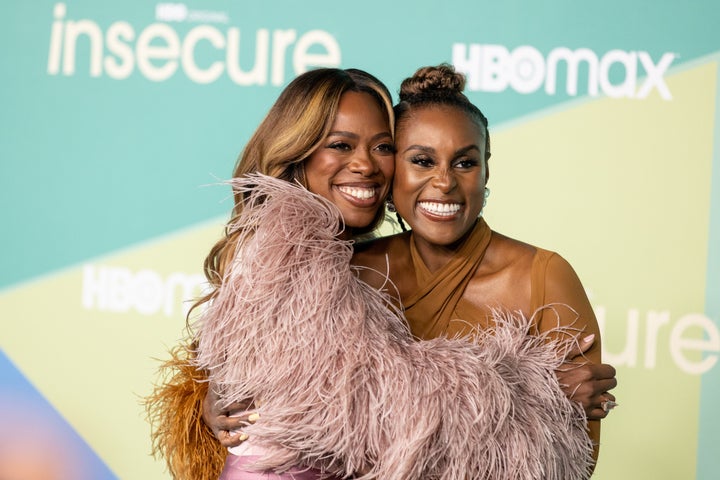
x=342 y=384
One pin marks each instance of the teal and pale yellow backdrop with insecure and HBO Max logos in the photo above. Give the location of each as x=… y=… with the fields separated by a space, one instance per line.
x=119 y=120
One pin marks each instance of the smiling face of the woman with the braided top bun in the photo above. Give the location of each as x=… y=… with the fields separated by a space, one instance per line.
x=440 y=173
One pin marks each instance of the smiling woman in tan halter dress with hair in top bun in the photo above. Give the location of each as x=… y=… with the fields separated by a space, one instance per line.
x=453 y=267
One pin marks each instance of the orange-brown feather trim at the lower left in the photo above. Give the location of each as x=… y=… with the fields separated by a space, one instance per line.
x=177 y=431
